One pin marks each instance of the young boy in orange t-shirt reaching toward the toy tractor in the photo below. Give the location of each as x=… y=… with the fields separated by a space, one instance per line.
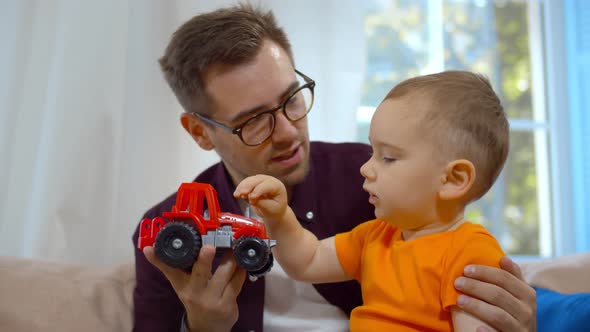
x=439 y=142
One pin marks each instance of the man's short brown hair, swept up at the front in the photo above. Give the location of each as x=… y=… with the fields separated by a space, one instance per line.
x=232 y=35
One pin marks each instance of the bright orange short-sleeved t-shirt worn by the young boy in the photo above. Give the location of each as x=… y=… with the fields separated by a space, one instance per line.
x=408 y=285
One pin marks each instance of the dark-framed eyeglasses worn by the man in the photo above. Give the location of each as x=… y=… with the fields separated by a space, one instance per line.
x=260 y=127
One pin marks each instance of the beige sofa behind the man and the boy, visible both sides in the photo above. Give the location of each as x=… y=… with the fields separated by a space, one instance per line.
x=38 y=295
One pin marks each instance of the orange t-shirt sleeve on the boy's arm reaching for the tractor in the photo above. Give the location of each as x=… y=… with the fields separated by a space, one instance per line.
x=349 y=248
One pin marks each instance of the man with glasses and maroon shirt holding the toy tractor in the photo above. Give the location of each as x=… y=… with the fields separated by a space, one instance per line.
x=233 y=72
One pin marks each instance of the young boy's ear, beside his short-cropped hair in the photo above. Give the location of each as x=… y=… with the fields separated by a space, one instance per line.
x=457 y=179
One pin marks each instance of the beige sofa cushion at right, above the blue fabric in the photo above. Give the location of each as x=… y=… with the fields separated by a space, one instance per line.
x=566 y=274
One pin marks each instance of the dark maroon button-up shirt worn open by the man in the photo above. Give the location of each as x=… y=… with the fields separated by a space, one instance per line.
x=332 y=191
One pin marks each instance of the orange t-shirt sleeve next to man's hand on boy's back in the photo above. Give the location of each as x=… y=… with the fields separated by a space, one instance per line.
x=475 y=246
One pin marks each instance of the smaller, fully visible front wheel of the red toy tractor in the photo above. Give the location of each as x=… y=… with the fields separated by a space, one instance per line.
x=251 y=253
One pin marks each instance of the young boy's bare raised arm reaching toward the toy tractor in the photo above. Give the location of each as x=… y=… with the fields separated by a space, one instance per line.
x=300 y=253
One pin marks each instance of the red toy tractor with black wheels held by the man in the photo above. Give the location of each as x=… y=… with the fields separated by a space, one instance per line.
x=179 y=234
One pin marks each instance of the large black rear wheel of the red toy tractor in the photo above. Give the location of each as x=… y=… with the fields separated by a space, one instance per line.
x=178 y=245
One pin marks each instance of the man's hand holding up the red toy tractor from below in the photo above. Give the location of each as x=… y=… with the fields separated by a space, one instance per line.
x=209 y=300
